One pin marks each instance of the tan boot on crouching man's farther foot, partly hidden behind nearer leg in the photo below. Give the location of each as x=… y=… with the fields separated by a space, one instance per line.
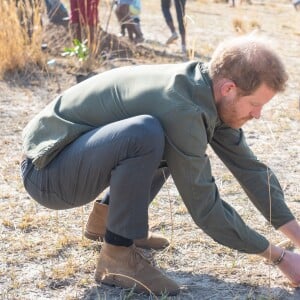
x=96 y=227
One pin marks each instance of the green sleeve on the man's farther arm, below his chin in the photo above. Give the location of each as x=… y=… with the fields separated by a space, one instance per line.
x=257 y=180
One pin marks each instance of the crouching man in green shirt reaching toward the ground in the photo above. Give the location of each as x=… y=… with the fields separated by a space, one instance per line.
x=128 y=128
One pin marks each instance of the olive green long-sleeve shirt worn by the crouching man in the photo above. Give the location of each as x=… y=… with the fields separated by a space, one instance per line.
x=180 y=96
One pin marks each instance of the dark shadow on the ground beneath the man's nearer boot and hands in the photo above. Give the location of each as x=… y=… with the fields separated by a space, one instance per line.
x=200 y=286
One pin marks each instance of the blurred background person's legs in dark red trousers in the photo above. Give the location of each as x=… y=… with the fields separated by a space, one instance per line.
x=84 y=20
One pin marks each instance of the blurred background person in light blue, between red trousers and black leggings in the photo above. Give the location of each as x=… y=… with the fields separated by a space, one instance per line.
x=127 y=12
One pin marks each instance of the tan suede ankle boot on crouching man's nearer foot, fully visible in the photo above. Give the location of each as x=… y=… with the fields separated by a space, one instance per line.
x=126 y=267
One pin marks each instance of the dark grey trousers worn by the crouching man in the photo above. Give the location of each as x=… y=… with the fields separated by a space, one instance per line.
x=124 y=156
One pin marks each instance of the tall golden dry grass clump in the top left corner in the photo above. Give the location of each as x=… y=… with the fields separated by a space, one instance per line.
x=20 y=46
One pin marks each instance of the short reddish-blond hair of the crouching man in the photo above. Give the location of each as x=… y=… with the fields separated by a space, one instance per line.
x=248 y=61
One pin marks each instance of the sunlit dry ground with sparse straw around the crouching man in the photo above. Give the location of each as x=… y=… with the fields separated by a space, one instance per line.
x=43 y=254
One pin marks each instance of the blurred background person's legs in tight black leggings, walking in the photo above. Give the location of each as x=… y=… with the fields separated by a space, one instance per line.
x=180 y=12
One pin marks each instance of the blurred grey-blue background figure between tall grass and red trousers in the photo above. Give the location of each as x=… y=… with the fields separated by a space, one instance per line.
x=57 y=13
